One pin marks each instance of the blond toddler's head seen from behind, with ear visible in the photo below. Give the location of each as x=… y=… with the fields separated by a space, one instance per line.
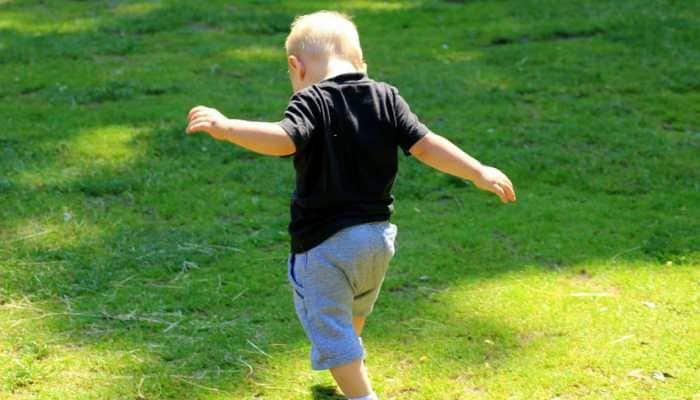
x=318 y=38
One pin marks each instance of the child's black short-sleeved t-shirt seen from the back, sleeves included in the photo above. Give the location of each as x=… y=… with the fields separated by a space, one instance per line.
x=347 y=130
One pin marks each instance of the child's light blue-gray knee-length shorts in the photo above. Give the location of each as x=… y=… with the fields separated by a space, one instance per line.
x=336 y=280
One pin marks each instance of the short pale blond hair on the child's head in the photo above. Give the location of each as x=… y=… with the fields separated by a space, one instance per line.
x=325 y=33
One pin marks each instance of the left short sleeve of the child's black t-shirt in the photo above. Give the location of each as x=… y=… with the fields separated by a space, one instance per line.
x=300 y=119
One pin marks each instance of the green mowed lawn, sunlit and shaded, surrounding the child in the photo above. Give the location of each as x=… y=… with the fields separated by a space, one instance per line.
x=136 y=262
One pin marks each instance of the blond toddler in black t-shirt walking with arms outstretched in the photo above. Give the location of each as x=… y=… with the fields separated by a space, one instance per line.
x=344 y=130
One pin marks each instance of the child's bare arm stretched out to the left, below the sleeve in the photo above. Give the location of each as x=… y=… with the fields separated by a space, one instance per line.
x=261 y=137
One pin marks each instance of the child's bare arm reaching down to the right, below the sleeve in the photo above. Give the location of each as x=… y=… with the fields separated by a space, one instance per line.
x=439 y=153
